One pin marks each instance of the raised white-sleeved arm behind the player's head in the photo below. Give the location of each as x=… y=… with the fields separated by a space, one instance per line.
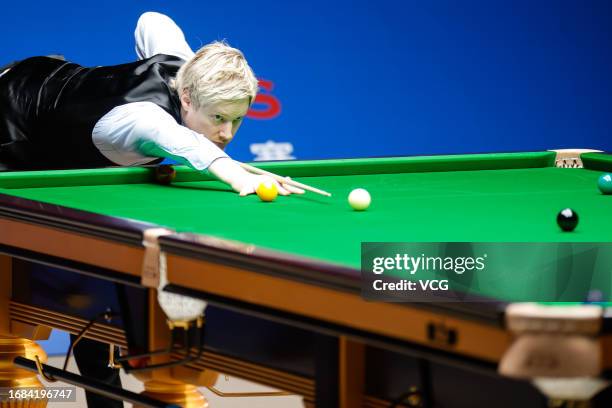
x=158 y=34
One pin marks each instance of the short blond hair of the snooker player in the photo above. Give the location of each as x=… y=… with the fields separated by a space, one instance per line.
x=216 y=73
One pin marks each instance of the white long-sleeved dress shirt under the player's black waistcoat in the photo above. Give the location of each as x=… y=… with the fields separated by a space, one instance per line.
x=140 y=132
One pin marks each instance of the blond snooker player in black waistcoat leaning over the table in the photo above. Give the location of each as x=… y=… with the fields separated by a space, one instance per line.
x=57 y=115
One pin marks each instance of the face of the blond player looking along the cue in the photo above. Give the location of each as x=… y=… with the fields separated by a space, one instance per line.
x=219 y=122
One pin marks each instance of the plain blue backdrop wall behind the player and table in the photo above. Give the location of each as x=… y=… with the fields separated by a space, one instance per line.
x=368 y=78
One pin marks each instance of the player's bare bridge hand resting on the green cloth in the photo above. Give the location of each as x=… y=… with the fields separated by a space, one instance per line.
x=246 y=183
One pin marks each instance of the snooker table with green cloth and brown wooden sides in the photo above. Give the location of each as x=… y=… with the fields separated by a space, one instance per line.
x=282 y=279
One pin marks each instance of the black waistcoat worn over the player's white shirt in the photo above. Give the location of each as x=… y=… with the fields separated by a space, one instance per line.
x=48 y=107
